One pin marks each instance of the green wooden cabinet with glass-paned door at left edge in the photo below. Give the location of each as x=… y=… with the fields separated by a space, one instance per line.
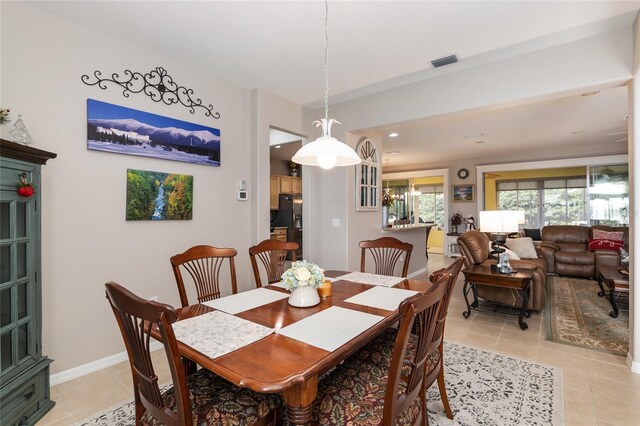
x=24 y=370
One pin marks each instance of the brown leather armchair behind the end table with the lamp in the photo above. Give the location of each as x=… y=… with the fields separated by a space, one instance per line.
x=474 y=246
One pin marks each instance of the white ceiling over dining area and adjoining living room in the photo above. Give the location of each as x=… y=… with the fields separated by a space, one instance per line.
x=278 y=46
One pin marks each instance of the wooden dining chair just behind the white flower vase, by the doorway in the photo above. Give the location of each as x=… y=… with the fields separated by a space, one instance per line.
x=272 y=255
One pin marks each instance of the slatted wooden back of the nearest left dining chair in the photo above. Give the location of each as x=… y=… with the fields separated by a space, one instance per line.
x=136 y=317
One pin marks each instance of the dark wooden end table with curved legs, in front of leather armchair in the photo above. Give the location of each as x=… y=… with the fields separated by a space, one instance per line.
x=479 y=274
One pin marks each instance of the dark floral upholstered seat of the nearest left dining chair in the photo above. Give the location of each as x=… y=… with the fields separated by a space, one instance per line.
x=215 y=401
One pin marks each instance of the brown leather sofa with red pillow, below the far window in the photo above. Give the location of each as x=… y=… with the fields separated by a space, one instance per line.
x=565 y=249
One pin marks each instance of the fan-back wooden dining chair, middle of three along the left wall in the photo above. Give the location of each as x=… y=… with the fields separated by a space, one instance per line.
x=204 y=263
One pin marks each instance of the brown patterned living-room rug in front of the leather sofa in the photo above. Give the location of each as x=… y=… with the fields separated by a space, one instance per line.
x=575 y=315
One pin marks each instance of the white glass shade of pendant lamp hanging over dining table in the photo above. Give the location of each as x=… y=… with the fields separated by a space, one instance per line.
x=326 y=152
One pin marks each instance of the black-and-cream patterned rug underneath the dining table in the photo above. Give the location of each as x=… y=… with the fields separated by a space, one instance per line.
x=483 y=387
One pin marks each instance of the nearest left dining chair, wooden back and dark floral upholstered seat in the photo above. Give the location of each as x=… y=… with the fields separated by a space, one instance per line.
x=201 y=398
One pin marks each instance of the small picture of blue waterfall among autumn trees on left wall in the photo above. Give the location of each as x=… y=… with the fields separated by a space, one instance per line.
x=158 y=196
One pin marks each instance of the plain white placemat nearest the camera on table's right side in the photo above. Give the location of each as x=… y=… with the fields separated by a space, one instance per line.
x=331 y=328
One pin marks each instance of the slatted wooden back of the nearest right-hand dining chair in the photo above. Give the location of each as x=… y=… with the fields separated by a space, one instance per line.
x=418 y=313
